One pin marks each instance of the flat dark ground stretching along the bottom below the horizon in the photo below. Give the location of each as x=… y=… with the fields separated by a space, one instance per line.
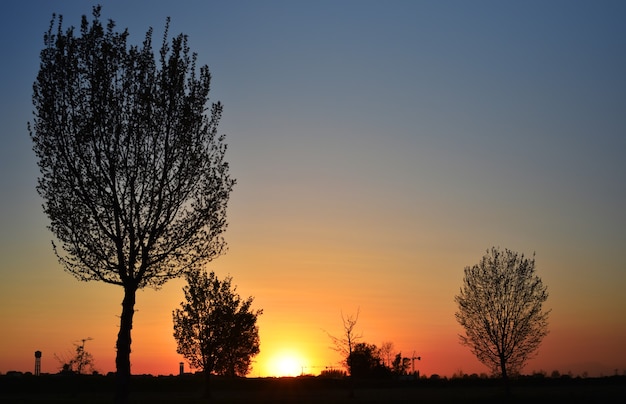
x=18 y=388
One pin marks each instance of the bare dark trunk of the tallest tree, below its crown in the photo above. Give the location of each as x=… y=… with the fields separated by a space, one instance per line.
x=122 y=360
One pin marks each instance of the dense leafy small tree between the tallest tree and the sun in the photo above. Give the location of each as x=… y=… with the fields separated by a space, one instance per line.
x=216 y=331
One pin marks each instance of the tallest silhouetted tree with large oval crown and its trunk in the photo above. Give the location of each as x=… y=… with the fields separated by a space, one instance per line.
x=133 y=174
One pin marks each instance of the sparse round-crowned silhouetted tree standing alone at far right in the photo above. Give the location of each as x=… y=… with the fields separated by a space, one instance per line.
x=500 y=305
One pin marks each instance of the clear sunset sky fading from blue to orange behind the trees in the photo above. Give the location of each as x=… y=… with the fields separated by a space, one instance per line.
x=379 y=148
